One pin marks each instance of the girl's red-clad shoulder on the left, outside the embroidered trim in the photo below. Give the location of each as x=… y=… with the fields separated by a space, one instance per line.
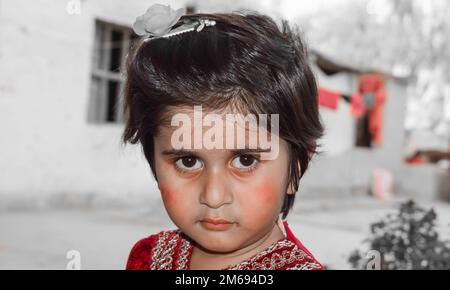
x=140 y=256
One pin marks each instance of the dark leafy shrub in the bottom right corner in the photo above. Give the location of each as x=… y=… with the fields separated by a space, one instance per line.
x=407 y=240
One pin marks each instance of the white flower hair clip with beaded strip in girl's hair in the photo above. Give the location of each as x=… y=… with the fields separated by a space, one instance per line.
x=158 y=20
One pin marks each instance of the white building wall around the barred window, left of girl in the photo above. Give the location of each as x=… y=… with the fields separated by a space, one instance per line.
x=45 y=74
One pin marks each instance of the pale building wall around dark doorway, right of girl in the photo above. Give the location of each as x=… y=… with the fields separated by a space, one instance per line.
x=344 y=168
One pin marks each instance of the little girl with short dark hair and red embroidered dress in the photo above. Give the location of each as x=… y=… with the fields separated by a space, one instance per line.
x=227 y=200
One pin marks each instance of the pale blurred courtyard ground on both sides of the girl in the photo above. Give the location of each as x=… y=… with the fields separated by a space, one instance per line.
x=329 y=227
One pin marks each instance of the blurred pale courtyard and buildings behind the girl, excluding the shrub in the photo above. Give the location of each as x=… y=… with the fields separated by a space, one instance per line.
x=67 y=183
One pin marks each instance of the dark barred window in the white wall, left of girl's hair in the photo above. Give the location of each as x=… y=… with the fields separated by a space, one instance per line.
x=111 y=46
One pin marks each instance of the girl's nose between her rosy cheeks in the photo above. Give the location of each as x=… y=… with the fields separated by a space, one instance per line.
x=216 y=189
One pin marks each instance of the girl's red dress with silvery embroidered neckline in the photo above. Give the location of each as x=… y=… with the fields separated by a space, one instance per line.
x=171 y=250
